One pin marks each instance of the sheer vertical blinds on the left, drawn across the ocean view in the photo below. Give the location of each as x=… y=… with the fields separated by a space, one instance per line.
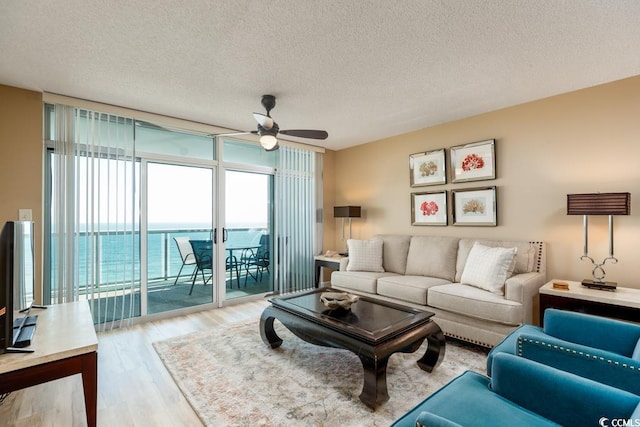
x=94 y=231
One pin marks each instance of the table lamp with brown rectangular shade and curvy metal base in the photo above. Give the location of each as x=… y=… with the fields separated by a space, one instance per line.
x=599 y=204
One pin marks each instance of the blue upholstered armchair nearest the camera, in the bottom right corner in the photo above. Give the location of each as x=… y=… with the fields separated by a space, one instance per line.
x=523 y=393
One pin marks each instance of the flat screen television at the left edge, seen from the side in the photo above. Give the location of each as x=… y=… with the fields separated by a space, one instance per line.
x=16 y=285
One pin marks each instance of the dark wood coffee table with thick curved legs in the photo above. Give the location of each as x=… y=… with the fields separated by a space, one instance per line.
x=372 y=329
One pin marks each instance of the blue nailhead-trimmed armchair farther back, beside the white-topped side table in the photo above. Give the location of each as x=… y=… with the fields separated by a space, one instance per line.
x=598 y=348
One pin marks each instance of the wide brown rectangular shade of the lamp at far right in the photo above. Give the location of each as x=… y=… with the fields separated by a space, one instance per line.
x=599 y=204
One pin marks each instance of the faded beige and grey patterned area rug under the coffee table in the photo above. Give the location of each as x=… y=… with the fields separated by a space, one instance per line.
x=231 y=378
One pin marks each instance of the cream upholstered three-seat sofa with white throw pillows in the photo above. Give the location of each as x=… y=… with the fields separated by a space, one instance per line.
x=428 y=272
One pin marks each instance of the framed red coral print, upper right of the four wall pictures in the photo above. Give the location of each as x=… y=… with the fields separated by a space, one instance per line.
x=473 y=162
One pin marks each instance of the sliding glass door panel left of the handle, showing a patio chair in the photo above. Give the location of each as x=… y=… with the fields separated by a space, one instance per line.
x=180 y=251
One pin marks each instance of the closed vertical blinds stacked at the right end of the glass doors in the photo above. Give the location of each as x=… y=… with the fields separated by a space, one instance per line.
x=296 y=218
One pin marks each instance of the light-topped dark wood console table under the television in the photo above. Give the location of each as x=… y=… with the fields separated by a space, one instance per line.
x=64 y=344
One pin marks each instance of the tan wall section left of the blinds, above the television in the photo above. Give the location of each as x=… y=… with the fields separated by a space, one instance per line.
x=21 y=162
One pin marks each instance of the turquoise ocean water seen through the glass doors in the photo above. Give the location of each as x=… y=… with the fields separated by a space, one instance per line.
x=117 y=255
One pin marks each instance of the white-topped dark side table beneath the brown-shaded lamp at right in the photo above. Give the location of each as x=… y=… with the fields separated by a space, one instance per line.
x=623 y=303
